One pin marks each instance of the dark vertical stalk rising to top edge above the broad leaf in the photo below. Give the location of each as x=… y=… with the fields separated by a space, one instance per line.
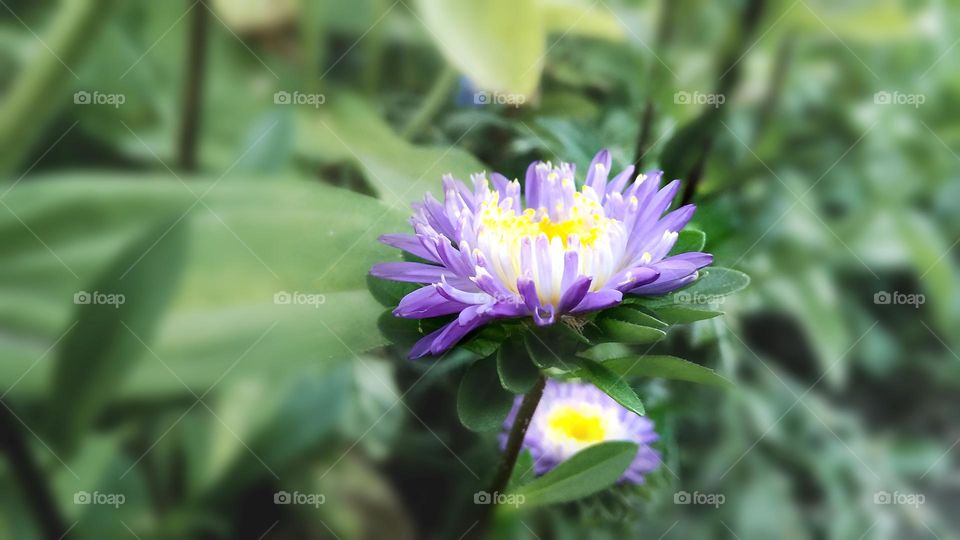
x=193 y=89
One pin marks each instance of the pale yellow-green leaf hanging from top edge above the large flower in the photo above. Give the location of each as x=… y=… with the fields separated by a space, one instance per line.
x=499 y=44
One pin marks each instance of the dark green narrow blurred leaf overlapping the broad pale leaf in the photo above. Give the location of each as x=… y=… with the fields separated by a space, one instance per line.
x=116 y=320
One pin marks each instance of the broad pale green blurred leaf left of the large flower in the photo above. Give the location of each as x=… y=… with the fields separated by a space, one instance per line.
x=223 y=319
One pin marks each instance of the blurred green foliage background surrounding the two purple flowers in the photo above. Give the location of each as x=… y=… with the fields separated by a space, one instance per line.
x=204 y=394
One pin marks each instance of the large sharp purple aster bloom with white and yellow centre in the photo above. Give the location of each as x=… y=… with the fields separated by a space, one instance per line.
x=492 y=254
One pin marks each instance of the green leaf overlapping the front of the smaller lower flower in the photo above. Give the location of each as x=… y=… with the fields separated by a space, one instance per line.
x=592 y=469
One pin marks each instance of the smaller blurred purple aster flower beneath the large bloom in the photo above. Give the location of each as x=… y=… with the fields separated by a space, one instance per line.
x=573 y=416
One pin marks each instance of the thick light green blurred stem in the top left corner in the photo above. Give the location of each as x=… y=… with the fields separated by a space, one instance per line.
x=39 y=91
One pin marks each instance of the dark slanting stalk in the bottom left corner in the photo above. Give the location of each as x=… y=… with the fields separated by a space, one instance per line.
x=35 y=489
